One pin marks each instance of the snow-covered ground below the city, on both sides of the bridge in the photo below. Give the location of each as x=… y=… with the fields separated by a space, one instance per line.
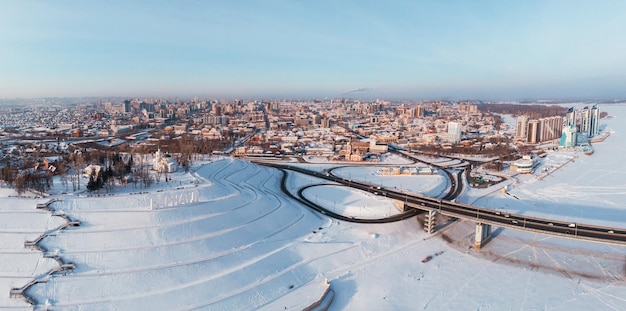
x=234 y=241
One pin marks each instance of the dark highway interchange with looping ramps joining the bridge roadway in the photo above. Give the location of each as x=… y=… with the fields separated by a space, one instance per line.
x=415 y=204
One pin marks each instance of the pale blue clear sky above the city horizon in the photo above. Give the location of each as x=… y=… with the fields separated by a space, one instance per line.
x=394 y=49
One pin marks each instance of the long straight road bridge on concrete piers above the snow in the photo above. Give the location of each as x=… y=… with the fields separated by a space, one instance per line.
x=483 y=217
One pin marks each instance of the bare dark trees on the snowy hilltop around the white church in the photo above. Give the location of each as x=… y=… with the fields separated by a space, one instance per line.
x=122 y=164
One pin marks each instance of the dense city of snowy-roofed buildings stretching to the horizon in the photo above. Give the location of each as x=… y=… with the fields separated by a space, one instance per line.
x=49 y=139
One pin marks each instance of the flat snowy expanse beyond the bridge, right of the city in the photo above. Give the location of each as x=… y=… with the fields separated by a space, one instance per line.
x=576 y=187
